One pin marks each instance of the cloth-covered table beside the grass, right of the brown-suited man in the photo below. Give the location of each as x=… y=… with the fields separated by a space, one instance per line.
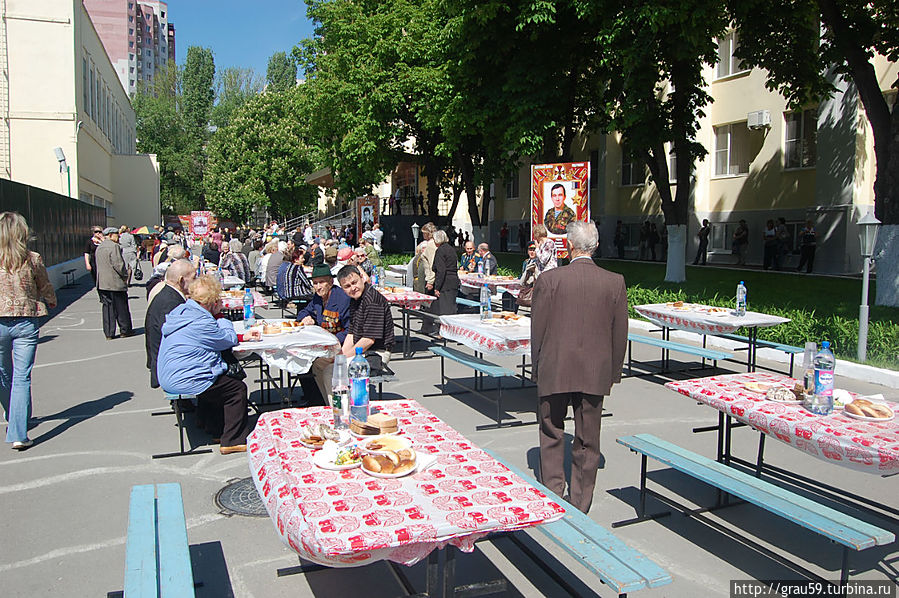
x=694 y=317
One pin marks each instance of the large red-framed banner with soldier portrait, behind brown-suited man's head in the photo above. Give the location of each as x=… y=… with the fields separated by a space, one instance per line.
x=574 y=179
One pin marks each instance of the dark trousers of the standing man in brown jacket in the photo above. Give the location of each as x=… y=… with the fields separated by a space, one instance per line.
x=585 y=455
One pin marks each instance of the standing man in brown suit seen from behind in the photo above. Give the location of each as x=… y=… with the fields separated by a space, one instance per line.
x=578 y=340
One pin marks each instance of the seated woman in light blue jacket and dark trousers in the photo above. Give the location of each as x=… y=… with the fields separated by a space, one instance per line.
x=190 y=360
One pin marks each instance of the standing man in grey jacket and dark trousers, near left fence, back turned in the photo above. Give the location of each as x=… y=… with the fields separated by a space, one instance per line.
x=112 y=285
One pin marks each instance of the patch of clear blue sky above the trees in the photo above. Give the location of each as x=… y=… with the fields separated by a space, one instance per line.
x=240 y=33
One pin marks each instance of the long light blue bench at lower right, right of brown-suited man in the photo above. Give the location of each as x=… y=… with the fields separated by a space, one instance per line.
x=838 y=527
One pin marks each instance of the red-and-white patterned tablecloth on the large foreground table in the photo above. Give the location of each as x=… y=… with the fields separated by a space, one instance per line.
x=349 y=519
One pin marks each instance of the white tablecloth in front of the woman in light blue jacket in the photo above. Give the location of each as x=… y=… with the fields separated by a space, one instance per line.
x=291 y=352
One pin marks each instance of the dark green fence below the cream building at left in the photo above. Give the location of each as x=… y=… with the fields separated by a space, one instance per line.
x=60 y=225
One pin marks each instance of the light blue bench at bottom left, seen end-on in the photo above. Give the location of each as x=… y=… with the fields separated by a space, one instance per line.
x=157 y=558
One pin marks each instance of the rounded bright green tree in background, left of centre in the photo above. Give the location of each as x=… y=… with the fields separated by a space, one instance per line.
x=261 y=158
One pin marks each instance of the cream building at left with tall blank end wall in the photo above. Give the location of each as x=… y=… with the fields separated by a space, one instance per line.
x=67 y=123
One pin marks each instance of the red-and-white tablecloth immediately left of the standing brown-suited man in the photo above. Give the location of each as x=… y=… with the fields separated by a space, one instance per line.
x=493 y=336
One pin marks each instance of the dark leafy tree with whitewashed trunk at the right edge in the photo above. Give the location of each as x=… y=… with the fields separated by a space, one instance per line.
x=802 y=46
